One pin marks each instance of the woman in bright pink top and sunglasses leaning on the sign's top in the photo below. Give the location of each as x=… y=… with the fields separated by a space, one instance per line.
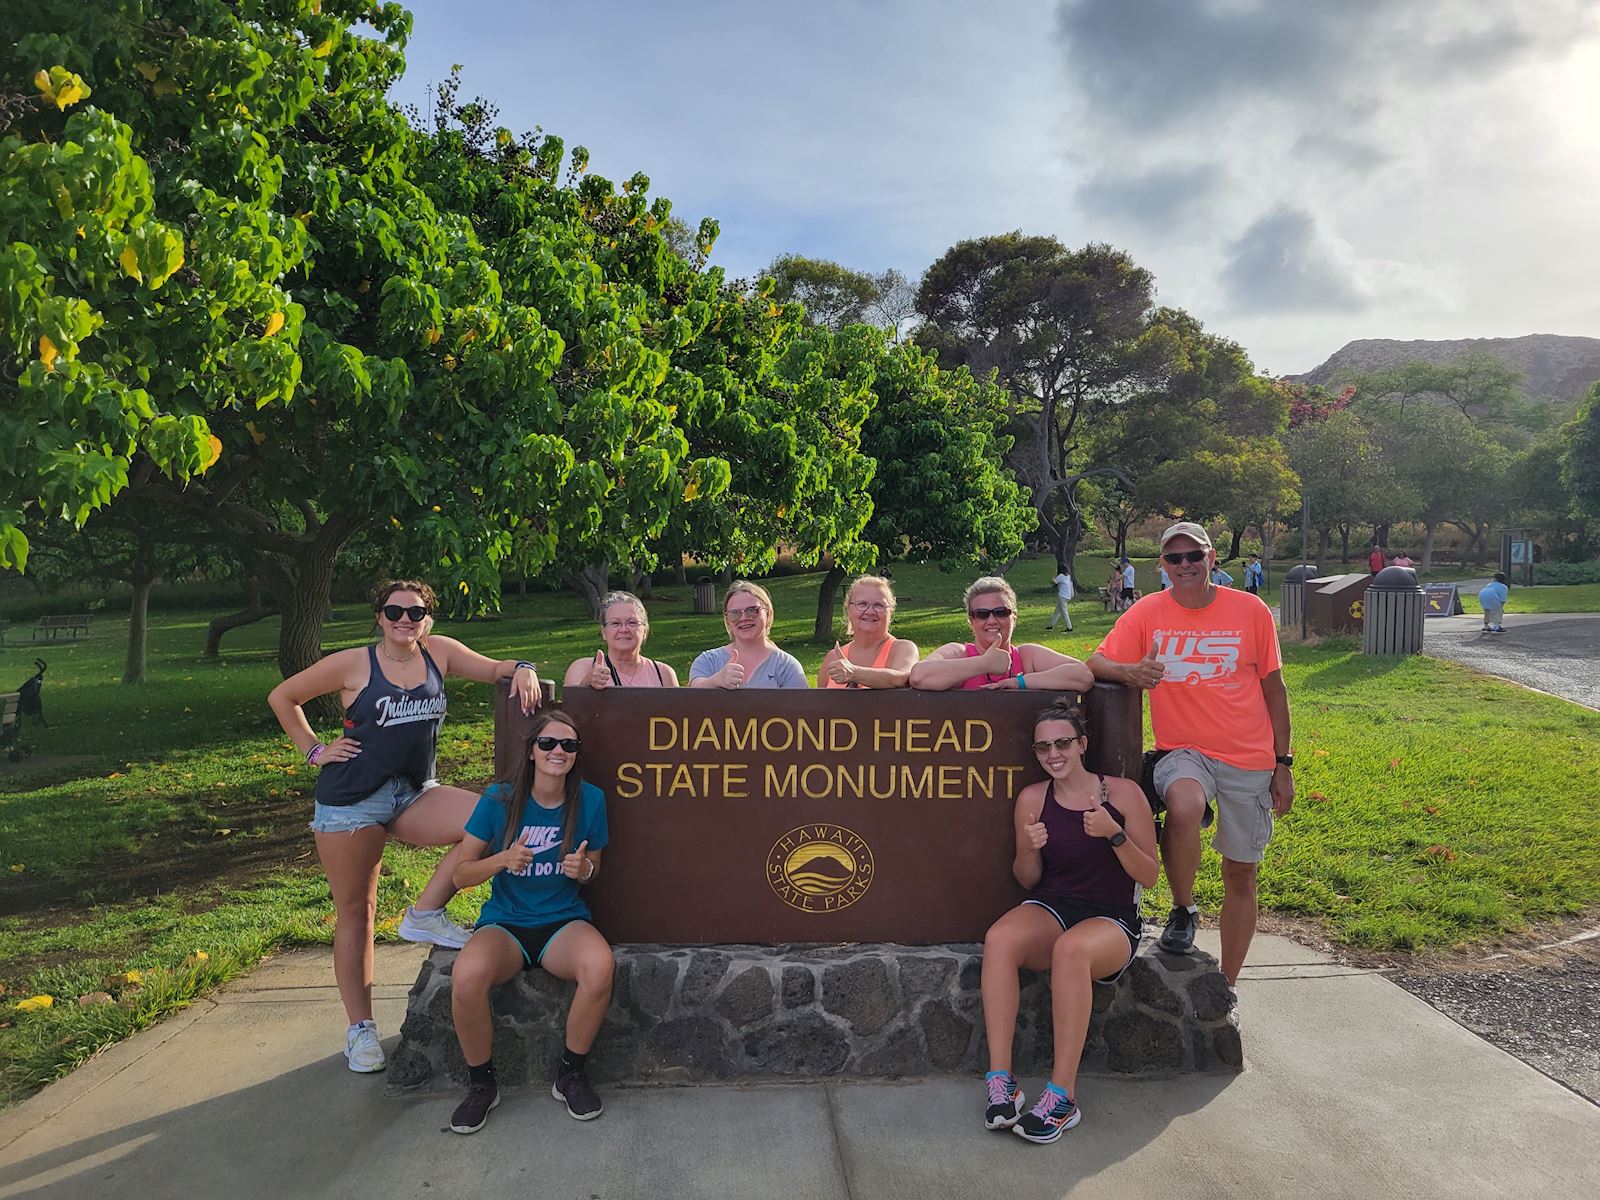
x=990 y=660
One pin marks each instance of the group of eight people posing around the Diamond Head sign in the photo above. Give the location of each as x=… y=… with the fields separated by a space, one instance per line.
x=1086 y=844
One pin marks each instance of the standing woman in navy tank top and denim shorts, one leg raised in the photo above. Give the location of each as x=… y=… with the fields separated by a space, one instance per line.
x=377 y=782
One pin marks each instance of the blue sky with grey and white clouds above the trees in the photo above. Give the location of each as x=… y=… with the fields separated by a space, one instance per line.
x=1294 y=174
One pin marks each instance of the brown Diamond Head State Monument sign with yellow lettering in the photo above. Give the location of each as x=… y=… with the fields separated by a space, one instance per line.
x=809 y=817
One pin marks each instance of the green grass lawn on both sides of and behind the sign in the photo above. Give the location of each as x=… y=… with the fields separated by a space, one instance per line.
x=162 y=830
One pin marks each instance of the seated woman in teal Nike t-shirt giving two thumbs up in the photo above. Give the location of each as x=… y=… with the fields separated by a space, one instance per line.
x=546 y=831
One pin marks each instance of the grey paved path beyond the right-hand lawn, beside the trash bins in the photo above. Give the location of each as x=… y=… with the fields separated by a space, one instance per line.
x=1551 y=652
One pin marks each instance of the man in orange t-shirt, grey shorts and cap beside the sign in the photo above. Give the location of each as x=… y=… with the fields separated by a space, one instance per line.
x=1210 y=662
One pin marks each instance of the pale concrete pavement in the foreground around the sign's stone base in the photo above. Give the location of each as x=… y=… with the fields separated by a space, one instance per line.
x=1351 y=1089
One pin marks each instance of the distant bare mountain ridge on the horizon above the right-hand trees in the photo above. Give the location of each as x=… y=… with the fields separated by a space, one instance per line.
x=1553 y=364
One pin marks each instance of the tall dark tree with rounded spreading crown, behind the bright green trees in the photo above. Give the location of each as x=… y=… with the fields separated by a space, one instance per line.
x=1066 y=334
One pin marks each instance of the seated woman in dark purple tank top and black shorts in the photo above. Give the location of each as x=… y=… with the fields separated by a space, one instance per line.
x=1086 y=846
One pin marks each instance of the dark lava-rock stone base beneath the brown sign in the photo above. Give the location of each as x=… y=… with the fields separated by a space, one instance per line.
x=809 y=1012
